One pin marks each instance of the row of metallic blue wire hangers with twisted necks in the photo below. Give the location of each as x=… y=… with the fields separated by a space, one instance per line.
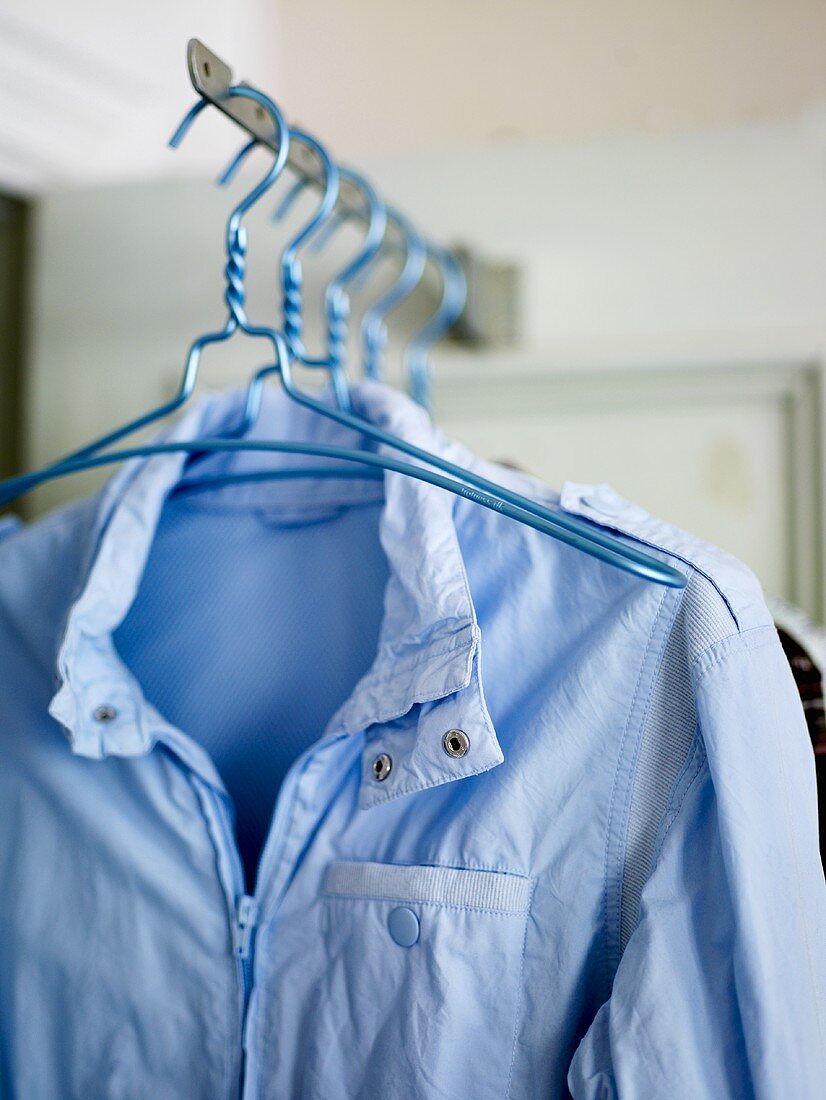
x=288 y=348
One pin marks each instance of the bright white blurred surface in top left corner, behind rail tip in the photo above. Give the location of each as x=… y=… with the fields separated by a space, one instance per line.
x=92 y=91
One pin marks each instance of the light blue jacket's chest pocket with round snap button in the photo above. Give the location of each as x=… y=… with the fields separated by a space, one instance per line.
x=424 y=982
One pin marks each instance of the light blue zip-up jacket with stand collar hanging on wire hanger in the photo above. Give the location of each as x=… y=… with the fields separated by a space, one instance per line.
x=538 y=826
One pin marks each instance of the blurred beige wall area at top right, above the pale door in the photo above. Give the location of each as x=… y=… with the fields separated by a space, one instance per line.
x=401 y=75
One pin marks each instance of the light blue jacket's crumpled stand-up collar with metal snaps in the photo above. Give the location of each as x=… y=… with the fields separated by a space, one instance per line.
x=426 y=676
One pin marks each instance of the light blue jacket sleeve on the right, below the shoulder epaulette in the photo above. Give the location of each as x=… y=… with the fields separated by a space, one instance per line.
x=721 y=992
